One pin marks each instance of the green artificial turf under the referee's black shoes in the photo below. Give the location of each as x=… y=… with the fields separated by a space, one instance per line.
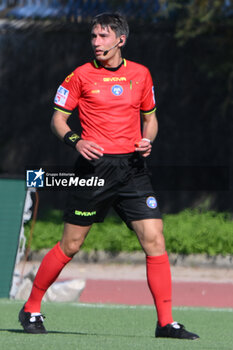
x=74 y=326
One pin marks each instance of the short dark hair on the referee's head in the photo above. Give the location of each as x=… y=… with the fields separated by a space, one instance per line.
x=115 y=21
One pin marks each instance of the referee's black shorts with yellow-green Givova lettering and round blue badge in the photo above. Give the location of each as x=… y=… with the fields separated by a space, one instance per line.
x=118 y=181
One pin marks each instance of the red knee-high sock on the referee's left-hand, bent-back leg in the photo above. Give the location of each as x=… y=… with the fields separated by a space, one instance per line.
x=50 y=268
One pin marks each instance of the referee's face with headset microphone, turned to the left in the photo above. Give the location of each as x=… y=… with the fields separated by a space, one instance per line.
x=103 y=39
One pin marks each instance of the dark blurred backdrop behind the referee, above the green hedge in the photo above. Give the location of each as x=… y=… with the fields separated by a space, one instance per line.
x=188 y=47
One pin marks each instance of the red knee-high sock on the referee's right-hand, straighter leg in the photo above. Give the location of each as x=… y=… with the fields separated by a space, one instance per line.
x=159 y=281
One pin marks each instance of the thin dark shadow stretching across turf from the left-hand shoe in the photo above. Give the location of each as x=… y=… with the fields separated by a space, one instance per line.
x=20 y=331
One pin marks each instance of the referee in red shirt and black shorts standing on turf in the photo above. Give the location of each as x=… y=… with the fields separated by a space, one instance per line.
x=110 y=94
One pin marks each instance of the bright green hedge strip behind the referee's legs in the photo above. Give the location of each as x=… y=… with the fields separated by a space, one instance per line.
x=188 y=232
